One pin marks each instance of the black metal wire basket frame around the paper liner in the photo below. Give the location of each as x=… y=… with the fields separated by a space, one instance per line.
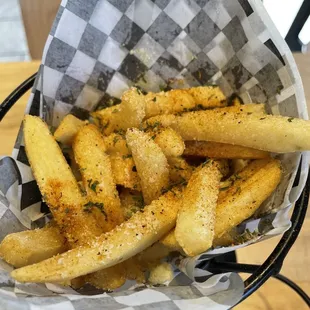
x=227 y=262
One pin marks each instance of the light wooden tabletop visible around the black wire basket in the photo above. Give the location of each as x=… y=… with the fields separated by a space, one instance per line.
x=273 y=294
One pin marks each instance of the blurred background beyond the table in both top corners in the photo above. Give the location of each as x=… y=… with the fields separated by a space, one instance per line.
x=25 y=24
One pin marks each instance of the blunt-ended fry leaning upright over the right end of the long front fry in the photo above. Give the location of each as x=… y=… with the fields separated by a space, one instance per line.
x=195 y=224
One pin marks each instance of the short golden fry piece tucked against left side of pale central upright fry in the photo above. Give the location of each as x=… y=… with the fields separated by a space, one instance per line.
x=125 y=172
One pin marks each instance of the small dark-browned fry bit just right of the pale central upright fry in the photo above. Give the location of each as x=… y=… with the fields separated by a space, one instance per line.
x=179 y=170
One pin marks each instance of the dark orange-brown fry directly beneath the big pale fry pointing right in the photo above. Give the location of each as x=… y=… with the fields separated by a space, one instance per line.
x=222 y=150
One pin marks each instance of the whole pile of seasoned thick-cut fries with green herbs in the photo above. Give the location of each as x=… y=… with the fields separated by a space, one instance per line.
x=159 y=174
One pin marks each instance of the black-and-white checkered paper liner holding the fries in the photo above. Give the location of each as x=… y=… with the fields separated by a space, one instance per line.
x=97 y=49
